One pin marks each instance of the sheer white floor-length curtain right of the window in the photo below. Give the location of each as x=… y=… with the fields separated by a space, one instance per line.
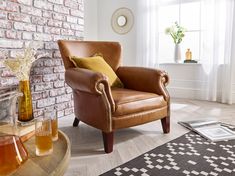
x=218 y=49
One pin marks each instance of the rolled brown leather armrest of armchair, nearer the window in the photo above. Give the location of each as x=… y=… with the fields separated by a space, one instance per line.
x=145 y=79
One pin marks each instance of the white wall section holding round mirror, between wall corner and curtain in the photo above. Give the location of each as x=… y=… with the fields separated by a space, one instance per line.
x=105 y=10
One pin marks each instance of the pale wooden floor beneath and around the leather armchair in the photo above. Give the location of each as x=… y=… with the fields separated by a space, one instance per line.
x=89 y=159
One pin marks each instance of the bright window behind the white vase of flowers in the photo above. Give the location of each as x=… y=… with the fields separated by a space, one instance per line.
x=187 y=14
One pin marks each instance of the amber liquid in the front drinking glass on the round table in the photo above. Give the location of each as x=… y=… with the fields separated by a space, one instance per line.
x=43 y=143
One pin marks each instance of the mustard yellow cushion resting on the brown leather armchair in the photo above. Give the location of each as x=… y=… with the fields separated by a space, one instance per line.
x=98 y=64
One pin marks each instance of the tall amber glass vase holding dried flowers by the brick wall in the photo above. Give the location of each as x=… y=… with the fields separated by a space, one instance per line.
x=25 y=106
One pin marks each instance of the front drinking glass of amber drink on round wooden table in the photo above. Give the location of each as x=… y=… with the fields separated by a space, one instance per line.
x=43 y=136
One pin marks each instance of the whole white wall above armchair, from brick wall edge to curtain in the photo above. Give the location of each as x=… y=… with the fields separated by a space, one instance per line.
x=97 y=21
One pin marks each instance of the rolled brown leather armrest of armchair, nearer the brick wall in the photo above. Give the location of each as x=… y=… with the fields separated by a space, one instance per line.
x=89 y=81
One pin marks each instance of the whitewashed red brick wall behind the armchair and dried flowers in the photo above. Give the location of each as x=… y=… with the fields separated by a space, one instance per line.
x=23 y=21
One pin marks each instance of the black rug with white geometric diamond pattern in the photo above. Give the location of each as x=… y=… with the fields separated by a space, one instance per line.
x=188 y=155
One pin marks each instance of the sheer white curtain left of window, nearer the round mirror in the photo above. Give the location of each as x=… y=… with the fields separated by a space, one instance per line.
x=147 y=33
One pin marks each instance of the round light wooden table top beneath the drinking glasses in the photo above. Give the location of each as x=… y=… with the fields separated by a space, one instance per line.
x=53 y=164
